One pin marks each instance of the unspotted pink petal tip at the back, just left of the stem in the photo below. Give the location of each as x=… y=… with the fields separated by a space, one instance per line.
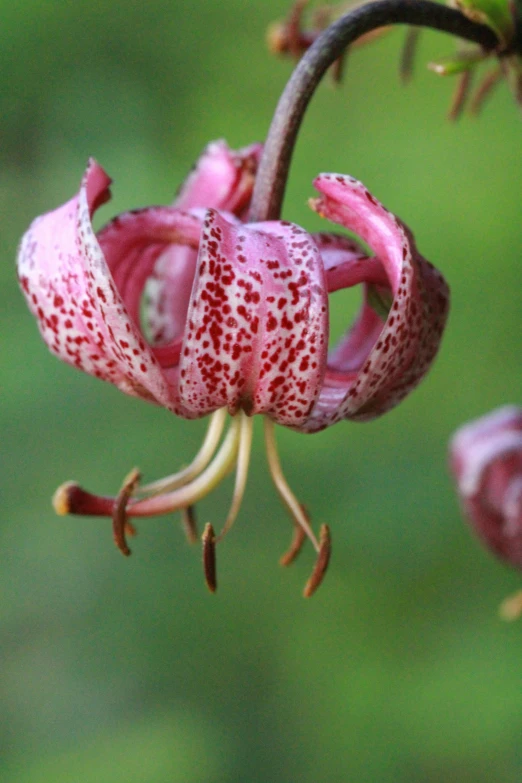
x=221 y=179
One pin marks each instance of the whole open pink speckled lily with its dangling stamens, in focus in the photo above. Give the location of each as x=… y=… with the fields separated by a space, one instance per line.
x=192 y=308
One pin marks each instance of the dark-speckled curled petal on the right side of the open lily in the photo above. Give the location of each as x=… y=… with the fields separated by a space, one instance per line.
x=374 y=368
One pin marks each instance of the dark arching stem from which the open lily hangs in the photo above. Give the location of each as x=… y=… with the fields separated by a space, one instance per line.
x=275 y=162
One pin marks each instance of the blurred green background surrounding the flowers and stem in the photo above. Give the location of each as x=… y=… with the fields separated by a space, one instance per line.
x=117 y=669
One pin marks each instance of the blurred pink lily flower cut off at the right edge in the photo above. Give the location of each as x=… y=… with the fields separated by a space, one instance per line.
x=486 y=459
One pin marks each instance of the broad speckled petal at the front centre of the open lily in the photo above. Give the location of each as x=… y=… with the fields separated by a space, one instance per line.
x=258 y=322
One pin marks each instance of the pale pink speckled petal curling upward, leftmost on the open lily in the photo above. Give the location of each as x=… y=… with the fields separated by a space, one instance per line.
x=70 y=290
